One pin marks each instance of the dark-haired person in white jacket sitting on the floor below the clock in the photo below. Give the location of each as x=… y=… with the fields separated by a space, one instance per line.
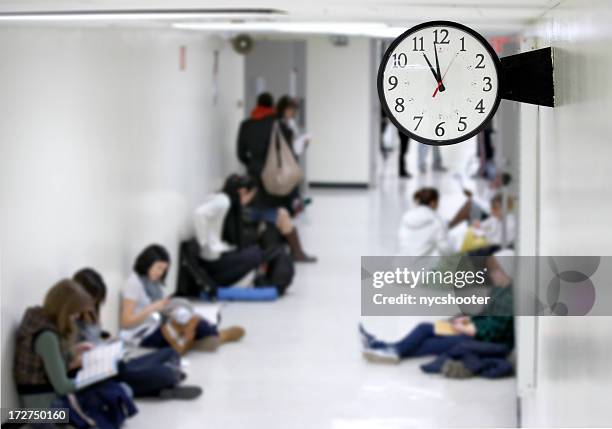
x=422 y=231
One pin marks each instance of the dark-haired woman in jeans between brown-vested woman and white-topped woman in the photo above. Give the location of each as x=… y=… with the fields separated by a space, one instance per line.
x=156 y=374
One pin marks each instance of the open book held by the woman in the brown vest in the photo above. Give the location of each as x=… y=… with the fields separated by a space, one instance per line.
x=99 y=363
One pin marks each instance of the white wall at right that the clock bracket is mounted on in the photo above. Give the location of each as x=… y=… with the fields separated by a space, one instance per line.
x=570 y=187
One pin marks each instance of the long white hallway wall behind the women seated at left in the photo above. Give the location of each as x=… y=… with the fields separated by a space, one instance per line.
x=105 y=147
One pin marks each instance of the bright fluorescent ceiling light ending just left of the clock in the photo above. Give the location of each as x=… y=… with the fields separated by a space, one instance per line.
x=344 y=28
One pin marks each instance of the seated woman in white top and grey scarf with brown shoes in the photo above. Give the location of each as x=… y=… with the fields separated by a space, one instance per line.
x=143 y=305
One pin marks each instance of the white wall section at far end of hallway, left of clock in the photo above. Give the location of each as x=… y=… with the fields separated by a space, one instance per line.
x=339 y=110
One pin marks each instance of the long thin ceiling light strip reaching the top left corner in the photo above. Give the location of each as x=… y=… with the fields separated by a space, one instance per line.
x=135 y=14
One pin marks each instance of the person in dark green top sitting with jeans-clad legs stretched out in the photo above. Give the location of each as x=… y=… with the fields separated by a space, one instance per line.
x=495 y=325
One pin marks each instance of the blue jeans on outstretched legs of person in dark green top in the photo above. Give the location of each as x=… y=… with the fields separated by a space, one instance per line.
x=422 y=341
